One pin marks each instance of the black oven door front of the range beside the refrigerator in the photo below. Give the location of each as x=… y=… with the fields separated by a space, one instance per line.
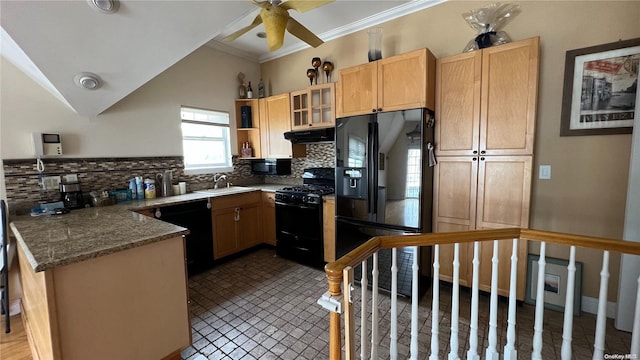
x=299 y=232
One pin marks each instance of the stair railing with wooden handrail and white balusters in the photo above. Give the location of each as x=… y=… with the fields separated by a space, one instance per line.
x=339 y=298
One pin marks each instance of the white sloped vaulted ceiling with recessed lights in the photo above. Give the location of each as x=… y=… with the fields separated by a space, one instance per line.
x=55 y=41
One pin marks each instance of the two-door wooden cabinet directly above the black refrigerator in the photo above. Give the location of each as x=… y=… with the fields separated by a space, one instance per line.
x=400 y=82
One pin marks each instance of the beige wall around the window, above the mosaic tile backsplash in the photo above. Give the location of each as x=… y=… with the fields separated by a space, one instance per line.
x=145 y=123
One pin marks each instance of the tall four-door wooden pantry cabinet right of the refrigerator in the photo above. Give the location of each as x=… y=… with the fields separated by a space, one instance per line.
x=486 y=109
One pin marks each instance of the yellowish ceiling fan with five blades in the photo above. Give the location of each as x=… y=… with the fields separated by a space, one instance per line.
x=276 y=18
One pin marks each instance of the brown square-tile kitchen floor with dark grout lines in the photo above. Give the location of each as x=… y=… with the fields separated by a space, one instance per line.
x=260 y=306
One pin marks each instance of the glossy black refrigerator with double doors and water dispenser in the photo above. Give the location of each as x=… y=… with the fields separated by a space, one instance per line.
x=384 y=180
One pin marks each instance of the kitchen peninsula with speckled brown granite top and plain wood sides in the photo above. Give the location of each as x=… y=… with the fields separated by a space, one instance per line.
x=104 y=283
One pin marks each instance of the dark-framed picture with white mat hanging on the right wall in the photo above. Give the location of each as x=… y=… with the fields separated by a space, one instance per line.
x=600 y=89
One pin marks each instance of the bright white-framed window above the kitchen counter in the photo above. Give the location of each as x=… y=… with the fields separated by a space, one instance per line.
x=205 y=140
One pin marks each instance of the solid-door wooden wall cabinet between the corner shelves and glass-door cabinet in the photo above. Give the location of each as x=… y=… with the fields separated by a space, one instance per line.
x=275 y=120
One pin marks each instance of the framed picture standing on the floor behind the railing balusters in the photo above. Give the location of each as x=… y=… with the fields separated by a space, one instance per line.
x=555 y=283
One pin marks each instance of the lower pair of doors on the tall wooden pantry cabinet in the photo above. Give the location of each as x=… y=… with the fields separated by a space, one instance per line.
x=486 y=193
